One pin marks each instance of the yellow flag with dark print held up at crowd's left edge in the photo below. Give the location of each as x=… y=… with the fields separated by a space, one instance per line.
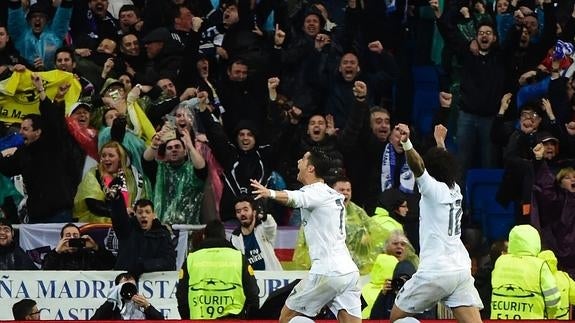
x=18 y=96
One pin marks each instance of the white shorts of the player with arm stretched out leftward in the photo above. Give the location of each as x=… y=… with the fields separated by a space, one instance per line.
x=311 y=294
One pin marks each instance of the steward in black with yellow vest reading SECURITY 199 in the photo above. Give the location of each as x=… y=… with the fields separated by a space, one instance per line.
x=216 y=280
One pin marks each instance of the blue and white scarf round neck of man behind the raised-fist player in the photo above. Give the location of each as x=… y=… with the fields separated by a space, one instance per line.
x=406 y=177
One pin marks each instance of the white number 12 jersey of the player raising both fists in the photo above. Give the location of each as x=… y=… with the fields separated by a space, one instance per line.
x=440 y=211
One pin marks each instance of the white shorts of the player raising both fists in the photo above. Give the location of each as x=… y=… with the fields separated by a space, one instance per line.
x=425 y=289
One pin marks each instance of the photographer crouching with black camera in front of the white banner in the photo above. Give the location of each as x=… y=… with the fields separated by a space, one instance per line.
x=125 y=303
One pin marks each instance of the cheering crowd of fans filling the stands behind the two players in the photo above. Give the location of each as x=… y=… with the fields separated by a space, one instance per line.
x=175 y=106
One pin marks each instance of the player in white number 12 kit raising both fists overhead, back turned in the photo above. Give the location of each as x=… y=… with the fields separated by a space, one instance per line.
x=444 y=272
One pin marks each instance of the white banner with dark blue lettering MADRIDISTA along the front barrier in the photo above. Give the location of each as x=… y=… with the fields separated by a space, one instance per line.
x=75 y=295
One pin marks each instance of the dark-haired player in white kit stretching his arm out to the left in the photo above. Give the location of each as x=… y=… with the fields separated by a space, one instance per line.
x=333 y=276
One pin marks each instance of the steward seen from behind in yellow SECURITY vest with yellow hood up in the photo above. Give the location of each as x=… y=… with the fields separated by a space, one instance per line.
x=523 y=286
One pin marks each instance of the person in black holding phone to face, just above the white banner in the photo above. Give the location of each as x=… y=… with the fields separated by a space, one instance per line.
x=78 y=252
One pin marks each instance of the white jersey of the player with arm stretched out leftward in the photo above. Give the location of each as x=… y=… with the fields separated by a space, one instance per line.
x=323 y=220
